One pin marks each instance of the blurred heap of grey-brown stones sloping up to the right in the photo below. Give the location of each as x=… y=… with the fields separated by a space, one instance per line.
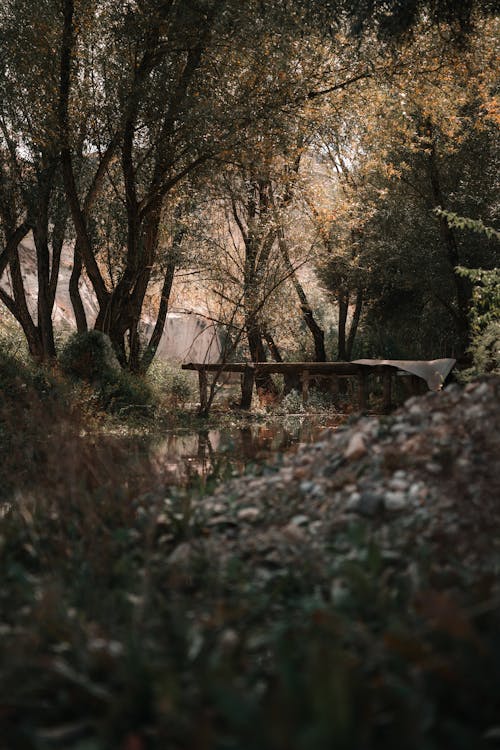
x=427 y=475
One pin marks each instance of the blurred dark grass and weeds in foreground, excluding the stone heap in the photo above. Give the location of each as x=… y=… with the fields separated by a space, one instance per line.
x=112 y=637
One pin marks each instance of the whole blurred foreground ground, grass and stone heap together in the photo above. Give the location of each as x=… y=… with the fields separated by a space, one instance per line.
x=345 y=595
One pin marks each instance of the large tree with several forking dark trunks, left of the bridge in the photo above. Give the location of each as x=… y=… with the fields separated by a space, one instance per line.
x=191 y=86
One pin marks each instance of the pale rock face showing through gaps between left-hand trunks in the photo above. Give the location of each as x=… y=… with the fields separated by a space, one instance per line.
x=187 y=337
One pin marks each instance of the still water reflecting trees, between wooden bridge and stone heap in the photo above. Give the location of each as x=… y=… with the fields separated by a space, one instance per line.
x=229 y=451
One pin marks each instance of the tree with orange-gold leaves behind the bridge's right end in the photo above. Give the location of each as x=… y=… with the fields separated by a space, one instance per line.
x=437 y=147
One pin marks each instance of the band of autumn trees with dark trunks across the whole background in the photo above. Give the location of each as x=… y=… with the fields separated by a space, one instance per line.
x=118 y=119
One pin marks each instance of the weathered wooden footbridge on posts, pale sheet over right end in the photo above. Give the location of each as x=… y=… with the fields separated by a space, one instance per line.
x=433 y=372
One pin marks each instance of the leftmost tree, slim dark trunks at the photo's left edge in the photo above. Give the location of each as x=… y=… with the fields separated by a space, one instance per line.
x=30 y=190
